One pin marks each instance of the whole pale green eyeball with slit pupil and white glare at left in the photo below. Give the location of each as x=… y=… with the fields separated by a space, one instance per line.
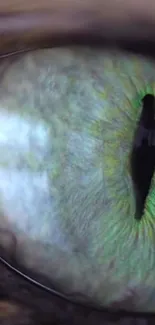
x=77 y=184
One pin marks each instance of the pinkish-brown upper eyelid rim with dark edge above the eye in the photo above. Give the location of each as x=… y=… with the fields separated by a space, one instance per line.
x=23 y=32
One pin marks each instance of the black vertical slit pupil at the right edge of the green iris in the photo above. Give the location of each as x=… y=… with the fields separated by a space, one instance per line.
x=143 y=154
